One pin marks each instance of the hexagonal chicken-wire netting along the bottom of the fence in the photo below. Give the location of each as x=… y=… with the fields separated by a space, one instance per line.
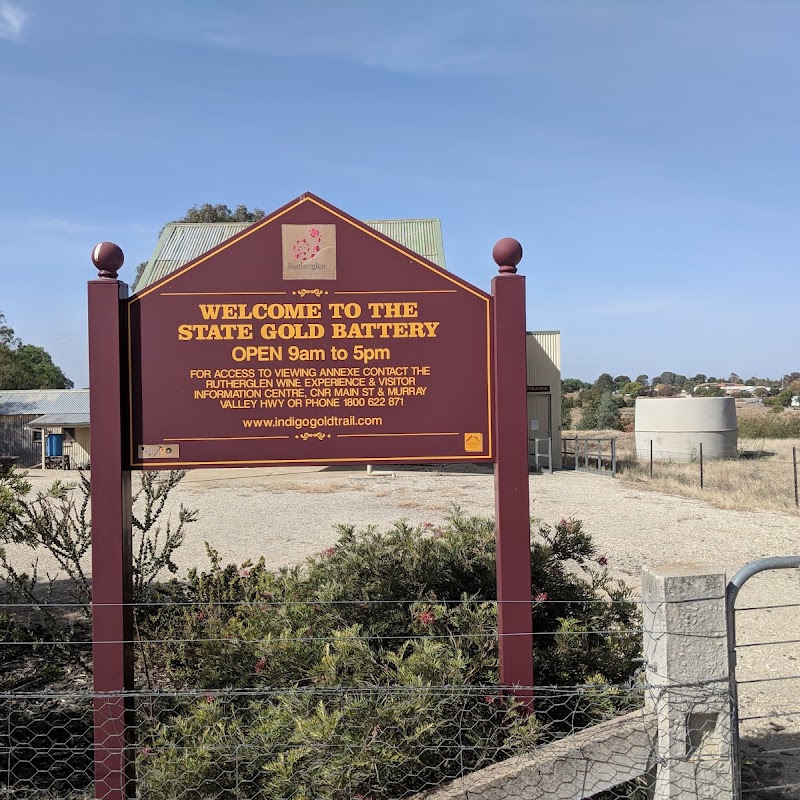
x=345 y=743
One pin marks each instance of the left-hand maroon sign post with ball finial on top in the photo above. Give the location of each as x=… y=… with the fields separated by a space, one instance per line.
x=112 y=615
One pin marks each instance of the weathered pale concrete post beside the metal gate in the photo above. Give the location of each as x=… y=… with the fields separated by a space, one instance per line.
x=685 y=647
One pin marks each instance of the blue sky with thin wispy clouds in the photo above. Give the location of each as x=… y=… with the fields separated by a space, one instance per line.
x=645 y=154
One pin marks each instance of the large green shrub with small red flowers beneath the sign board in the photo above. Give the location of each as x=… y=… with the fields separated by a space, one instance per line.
x=373 y=670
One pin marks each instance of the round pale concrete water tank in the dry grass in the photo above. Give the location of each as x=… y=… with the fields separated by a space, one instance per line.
x=678 y=425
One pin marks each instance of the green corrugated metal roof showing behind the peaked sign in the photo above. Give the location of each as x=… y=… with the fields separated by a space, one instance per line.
x=182 y=242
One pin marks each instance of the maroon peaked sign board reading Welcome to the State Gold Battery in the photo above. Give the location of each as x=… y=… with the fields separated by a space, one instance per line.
x=309 y=338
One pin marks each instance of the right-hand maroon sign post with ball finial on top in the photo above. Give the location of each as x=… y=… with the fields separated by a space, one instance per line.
x=512 y=501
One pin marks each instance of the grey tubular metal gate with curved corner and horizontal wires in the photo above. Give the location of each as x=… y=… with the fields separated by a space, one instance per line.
x=766 y=701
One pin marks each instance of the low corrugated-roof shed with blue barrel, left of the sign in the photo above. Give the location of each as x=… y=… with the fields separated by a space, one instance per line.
x=29 y=417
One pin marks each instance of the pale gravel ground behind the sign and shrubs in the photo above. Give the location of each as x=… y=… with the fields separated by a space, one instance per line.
x=289 y=514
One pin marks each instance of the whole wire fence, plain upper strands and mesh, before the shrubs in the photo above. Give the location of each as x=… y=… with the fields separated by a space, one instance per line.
x=275 y=709
